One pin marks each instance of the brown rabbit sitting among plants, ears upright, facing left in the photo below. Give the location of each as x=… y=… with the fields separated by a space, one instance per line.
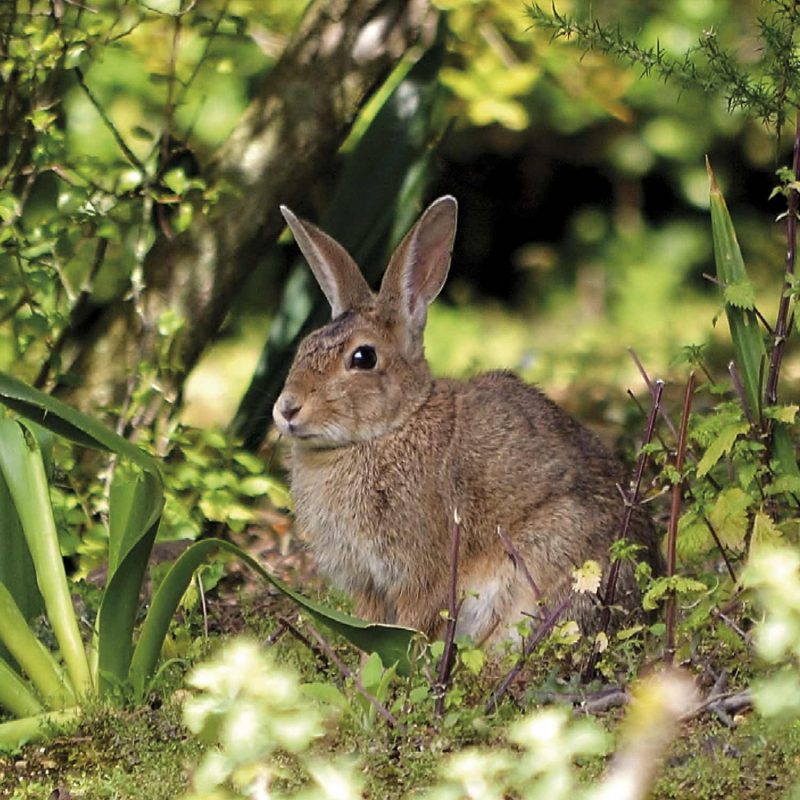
x=383 y=455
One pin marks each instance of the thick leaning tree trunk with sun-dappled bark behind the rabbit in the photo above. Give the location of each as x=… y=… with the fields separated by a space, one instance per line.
x=341 y=53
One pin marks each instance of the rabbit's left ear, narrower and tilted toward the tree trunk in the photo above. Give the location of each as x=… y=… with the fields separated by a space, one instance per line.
x=337 y=274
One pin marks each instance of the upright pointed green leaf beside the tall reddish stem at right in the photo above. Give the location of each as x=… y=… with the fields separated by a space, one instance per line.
x=748 y=341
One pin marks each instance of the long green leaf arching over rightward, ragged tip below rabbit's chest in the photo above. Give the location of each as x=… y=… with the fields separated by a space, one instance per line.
x=389 y=641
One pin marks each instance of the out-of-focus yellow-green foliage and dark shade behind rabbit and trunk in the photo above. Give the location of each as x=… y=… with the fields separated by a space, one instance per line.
x=581 y=182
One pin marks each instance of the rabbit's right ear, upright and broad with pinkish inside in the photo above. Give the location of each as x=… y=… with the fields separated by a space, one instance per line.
x=418 y=268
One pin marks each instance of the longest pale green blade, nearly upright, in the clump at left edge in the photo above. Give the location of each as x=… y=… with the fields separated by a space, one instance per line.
x=21 y=464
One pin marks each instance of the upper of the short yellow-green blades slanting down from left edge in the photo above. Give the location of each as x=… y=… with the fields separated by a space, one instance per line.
x=31 y=655
